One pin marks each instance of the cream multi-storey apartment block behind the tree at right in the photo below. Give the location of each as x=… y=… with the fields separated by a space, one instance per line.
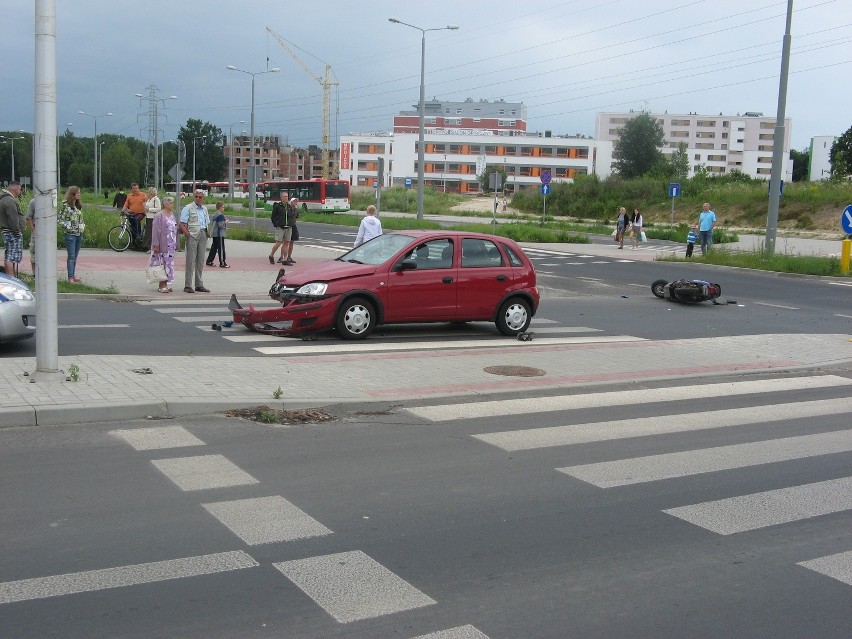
x=719 y=143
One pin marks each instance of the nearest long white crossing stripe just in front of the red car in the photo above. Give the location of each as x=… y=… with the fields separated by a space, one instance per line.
x=318 y=347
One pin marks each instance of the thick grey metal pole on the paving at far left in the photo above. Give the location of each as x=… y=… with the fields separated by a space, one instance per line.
x=44 y=180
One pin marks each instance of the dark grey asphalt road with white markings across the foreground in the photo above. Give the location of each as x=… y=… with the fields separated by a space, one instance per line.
x=401 y=524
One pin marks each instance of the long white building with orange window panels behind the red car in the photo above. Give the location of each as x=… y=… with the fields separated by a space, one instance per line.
x=452 y=161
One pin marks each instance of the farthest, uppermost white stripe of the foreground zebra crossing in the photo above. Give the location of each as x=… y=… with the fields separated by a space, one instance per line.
x=474 y=410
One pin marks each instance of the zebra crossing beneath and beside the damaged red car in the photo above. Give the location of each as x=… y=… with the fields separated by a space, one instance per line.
x=204 y=313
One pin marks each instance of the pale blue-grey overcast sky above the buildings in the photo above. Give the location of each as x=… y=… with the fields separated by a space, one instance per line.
x=565 y=61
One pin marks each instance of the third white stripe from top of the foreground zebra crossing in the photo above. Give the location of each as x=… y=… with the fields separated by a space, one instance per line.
x=694 y=462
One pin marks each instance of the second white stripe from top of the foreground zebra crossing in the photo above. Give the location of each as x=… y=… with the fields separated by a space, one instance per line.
x=528 y=439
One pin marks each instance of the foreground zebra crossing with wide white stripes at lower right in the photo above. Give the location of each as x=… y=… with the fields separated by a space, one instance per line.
x=775 y=403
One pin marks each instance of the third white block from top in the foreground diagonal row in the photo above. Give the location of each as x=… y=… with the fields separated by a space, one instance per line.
x=266 y=520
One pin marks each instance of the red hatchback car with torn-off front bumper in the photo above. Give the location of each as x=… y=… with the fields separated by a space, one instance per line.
x=404 y=277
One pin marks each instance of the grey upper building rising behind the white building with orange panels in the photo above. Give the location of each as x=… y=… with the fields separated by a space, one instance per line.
x=498 y=117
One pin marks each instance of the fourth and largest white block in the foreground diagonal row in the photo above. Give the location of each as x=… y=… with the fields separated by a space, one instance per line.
x=351 y=586
